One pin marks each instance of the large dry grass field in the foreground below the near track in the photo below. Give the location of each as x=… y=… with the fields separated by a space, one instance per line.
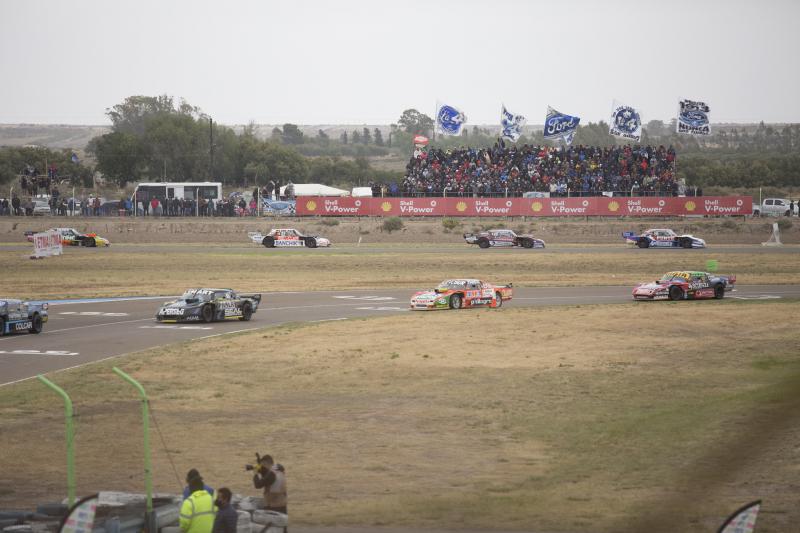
x=583 y=418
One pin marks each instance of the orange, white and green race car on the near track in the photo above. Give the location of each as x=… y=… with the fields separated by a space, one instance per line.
x=462 y=293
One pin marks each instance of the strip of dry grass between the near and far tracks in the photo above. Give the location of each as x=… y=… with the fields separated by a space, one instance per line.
x=89 y=273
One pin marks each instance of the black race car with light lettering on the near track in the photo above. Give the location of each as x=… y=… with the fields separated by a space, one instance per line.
x=209 y=305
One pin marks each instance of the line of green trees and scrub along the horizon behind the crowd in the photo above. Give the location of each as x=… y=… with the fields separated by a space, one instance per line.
x=160 y=138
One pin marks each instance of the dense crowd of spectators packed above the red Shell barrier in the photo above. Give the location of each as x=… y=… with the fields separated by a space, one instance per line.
x=505 y=170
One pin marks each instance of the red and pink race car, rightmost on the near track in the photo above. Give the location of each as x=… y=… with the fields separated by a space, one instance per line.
x=685 y=285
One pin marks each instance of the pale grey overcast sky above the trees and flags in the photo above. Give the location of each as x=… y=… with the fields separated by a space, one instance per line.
x=354 y=62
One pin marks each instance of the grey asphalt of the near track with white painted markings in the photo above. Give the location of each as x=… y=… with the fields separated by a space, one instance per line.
x=80 y=332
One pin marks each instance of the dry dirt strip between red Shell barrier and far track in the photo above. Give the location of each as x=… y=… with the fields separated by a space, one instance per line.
x=368 y=230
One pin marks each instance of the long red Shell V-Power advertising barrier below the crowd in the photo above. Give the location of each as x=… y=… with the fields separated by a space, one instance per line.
x=534 y=207
